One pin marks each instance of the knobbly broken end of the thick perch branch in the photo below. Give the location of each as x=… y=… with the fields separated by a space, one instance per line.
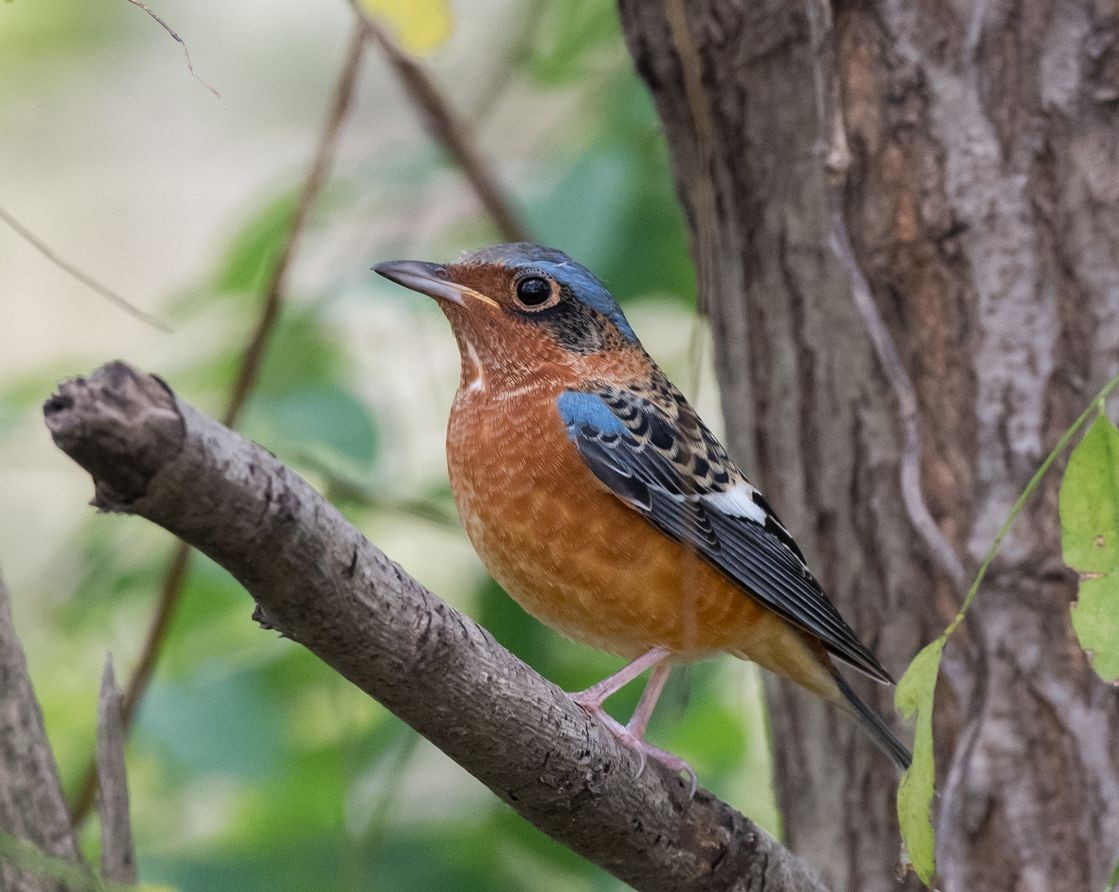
x=121 y=426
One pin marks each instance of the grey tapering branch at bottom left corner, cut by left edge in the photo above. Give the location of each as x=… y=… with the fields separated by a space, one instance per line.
x=32 y=805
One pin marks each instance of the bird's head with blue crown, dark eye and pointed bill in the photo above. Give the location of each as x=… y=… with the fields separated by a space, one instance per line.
x=519 y=307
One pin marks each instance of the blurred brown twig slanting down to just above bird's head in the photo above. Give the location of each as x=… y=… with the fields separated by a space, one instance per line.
x=449 y=133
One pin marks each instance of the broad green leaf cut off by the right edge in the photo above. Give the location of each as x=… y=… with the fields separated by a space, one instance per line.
x=1089 y=504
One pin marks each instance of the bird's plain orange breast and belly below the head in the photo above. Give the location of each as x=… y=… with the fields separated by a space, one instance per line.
x=575 y=556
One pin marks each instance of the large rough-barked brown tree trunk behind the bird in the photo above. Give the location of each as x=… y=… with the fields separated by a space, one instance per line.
x=906 y=223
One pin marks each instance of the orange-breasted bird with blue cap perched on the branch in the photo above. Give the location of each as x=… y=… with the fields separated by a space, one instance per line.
x=598 y=499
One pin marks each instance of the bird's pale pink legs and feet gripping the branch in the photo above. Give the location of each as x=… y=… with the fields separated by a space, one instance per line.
x=633 y=736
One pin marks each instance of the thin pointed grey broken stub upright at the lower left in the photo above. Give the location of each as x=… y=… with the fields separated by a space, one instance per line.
x=118 y=857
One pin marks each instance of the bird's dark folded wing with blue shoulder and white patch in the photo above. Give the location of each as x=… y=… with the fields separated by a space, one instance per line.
x=659 y=457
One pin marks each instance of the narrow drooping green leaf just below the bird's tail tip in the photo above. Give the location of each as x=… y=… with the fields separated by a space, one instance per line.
x=915 y=696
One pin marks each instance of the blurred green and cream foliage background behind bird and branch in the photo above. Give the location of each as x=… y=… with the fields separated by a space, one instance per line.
x=252 y=766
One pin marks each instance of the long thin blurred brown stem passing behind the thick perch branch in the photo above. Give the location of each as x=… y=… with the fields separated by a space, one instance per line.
x=248 y=373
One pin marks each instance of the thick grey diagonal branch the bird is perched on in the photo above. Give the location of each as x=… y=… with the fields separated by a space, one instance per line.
x=319 y=583
